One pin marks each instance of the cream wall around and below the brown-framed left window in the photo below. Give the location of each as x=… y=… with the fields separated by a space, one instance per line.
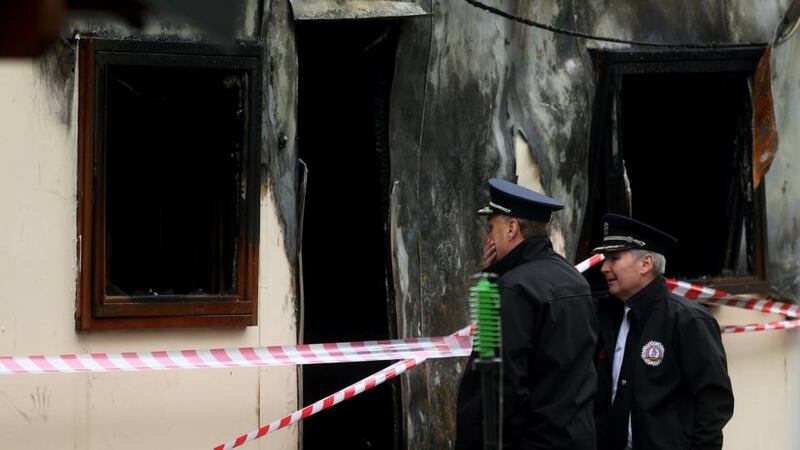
x=170 y=409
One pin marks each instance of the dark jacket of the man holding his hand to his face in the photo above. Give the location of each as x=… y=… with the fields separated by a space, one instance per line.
x=549 y=330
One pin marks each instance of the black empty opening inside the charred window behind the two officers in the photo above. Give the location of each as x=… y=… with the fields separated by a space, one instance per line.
x=685 y=142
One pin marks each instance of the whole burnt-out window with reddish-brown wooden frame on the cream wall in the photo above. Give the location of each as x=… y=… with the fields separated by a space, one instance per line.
x=168 y=184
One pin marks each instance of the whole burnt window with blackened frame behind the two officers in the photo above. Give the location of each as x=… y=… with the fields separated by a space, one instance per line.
x=672 y=146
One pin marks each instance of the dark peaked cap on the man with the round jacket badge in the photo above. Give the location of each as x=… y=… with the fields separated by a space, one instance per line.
x=624 y=233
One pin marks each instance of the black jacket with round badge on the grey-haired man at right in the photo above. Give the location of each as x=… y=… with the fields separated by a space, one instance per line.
x=674 y=376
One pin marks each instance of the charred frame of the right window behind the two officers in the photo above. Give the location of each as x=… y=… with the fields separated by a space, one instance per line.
x=611 y=66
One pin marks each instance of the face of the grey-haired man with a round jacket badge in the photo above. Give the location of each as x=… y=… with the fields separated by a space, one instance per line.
x=625 y=273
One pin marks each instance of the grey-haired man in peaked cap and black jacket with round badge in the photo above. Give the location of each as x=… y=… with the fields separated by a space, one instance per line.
x=662 y=373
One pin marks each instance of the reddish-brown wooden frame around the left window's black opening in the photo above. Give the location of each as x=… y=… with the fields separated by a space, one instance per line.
x=95 y=309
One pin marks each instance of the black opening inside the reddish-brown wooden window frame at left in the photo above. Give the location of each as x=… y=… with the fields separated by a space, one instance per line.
x=173 y=177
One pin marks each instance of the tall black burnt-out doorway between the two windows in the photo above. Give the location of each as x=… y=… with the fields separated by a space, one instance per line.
x=345 y=74
